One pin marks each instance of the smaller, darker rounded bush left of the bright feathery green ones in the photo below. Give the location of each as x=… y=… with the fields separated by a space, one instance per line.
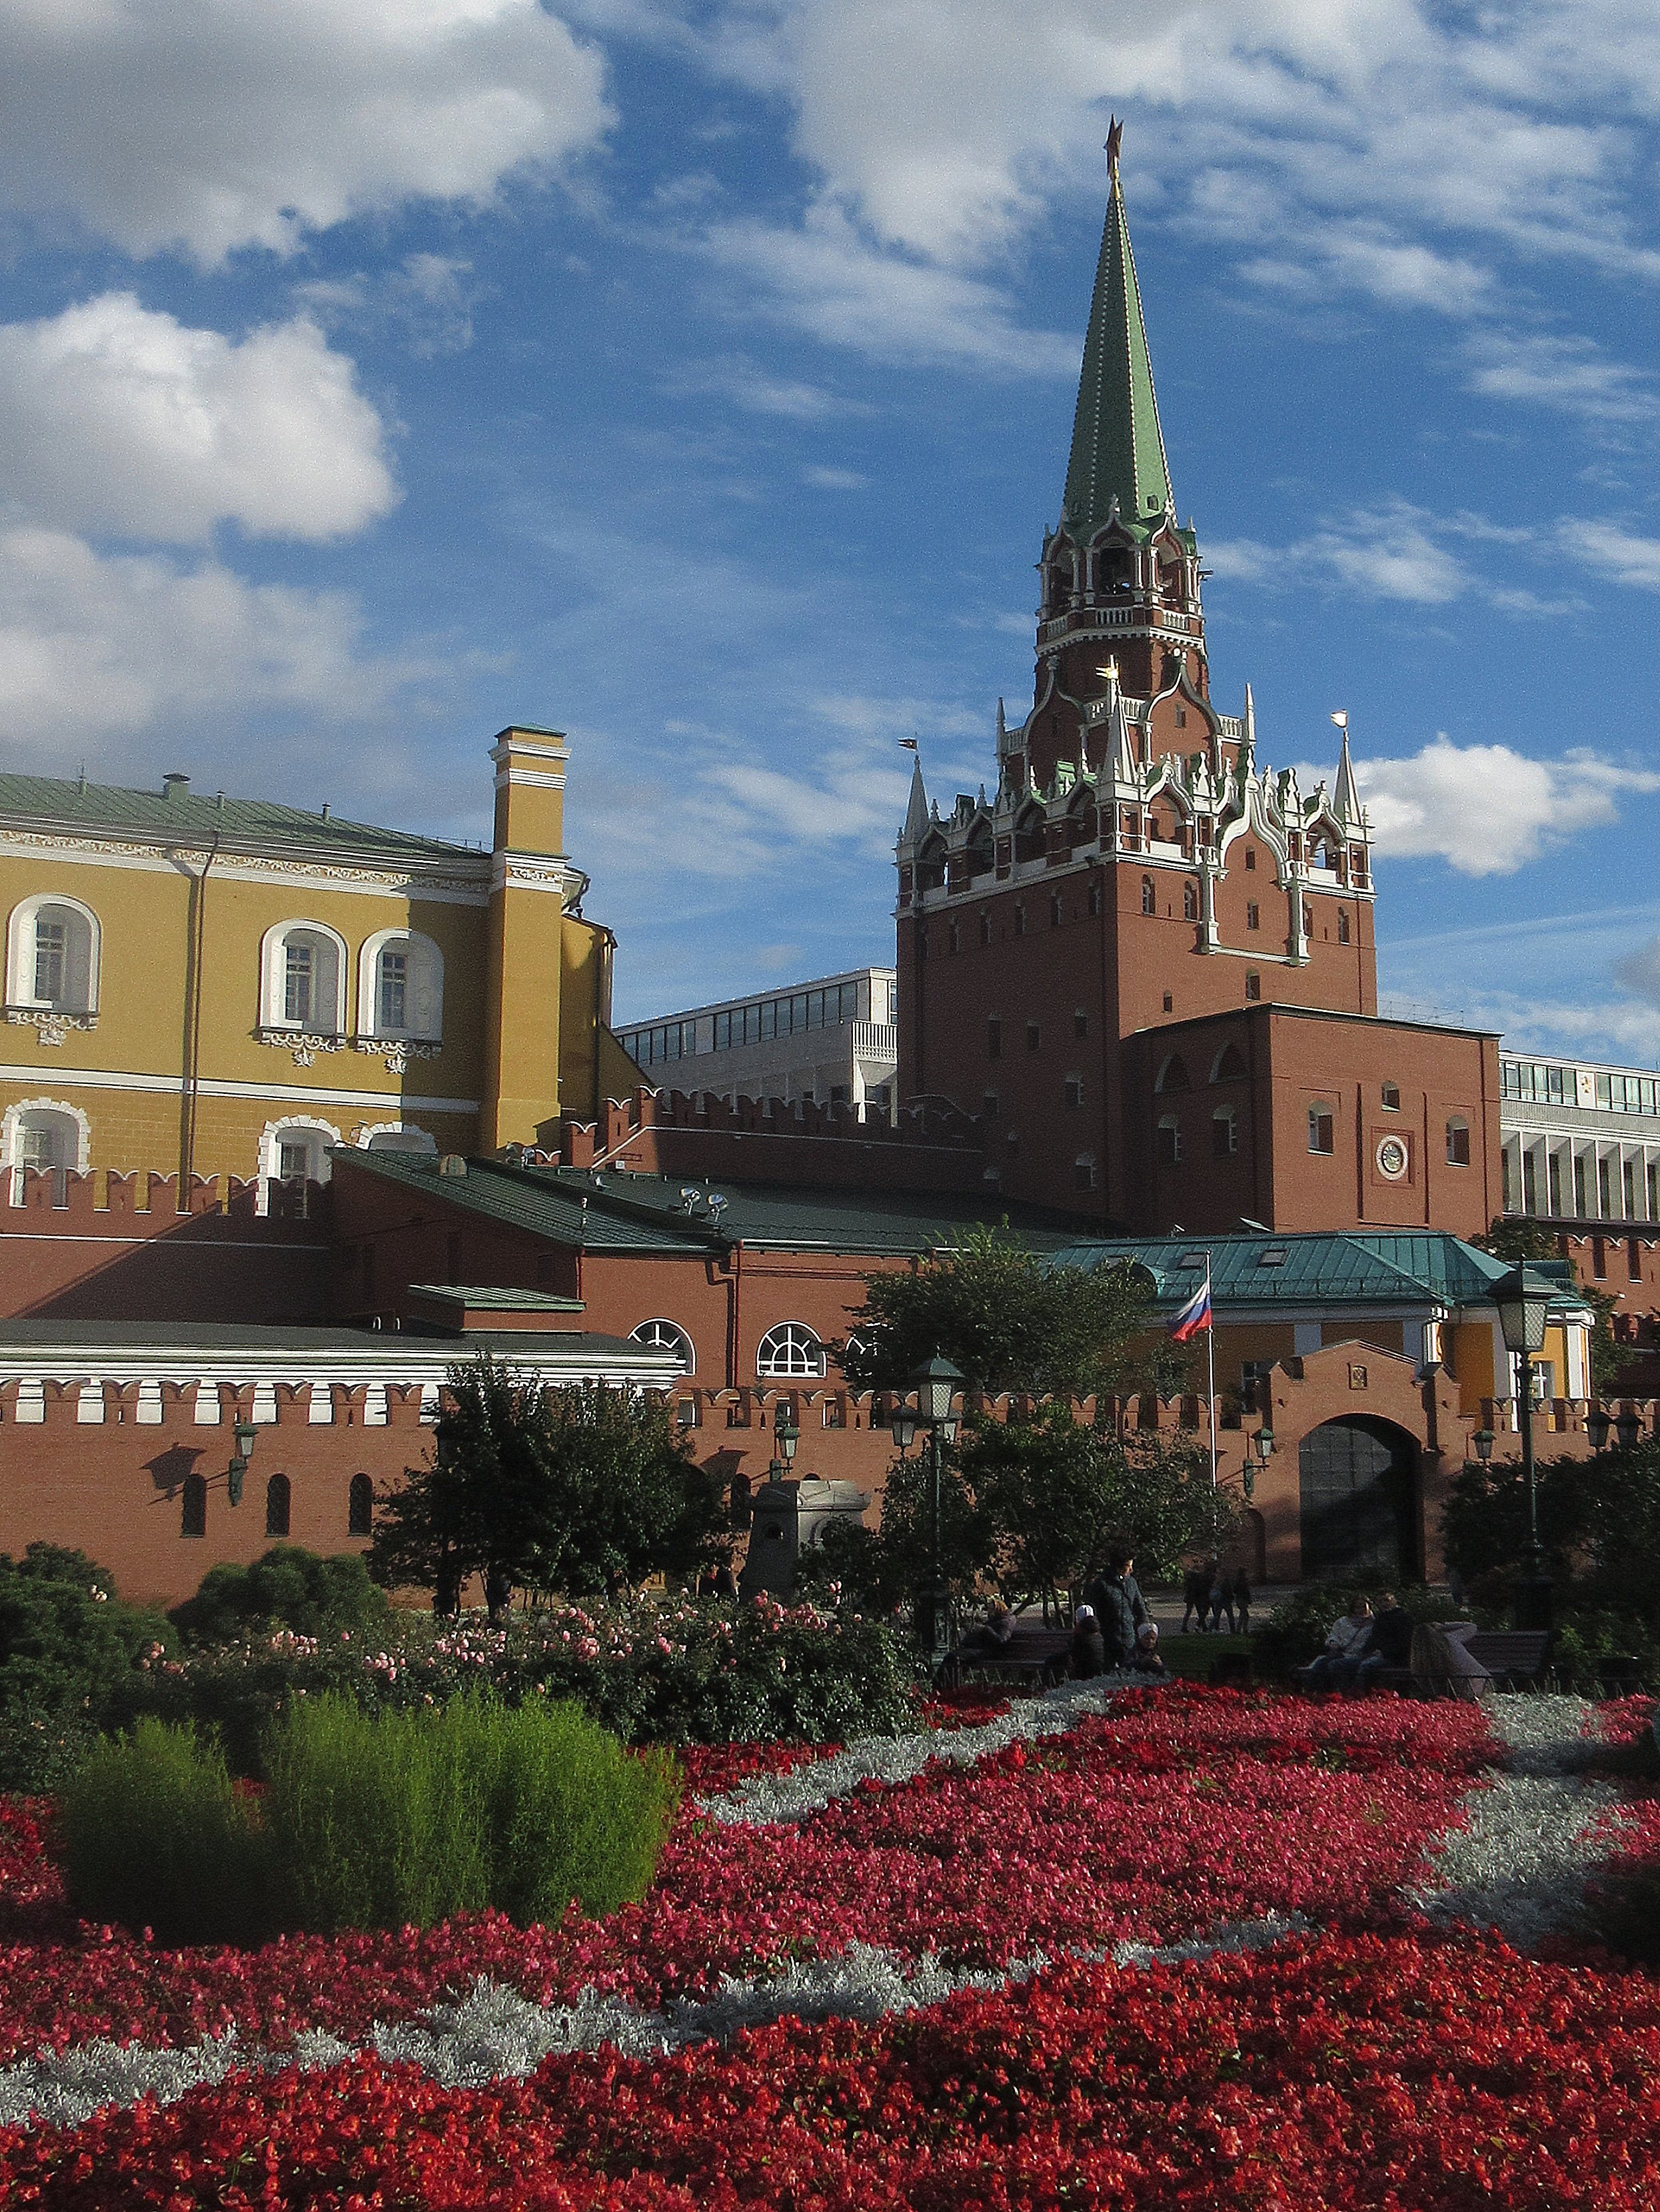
x=156 y=1835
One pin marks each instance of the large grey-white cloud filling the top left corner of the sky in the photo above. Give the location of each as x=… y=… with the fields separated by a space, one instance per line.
x=211 y=125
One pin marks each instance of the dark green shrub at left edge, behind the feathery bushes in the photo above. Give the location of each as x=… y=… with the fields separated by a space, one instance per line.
x=70 y=1649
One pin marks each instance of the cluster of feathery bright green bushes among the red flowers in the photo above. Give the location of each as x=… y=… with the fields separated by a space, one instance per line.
x=369 y=1822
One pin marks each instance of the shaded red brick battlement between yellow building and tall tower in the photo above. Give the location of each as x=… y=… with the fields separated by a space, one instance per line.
x=933 y=1147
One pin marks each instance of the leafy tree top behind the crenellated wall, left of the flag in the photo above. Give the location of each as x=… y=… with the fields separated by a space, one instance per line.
x=1013 y=1322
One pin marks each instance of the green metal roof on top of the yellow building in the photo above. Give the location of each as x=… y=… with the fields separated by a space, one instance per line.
x=191 y=820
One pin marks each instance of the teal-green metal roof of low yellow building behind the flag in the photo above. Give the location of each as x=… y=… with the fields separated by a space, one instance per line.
x=1353 y=1269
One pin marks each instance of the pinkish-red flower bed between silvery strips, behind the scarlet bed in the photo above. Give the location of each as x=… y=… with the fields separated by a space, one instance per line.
x=1159 y=1822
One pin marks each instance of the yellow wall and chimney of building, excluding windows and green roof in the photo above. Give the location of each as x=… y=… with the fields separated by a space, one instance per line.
x=523 y=985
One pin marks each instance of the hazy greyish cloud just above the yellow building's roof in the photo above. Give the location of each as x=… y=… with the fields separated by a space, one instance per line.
x=101 y=651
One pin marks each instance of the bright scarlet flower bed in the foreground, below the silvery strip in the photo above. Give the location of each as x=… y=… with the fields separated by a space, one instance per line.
x=1384 y=2074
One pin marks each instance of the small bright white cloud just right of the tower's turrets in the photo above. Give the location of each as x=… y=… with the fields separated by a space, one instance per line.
x=1486 y=811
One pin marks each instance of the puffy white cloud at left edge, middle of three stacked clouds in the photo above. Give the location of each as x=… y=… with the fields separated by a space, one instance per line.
x=118 y=419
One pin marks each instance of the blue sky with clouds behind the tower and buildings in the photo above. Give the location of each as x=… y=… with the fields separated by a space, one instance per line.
x=698 y=379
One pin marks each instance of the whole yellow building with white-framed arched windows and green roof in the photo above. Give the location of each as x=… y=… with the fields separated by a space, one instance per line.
x=231 y=988
